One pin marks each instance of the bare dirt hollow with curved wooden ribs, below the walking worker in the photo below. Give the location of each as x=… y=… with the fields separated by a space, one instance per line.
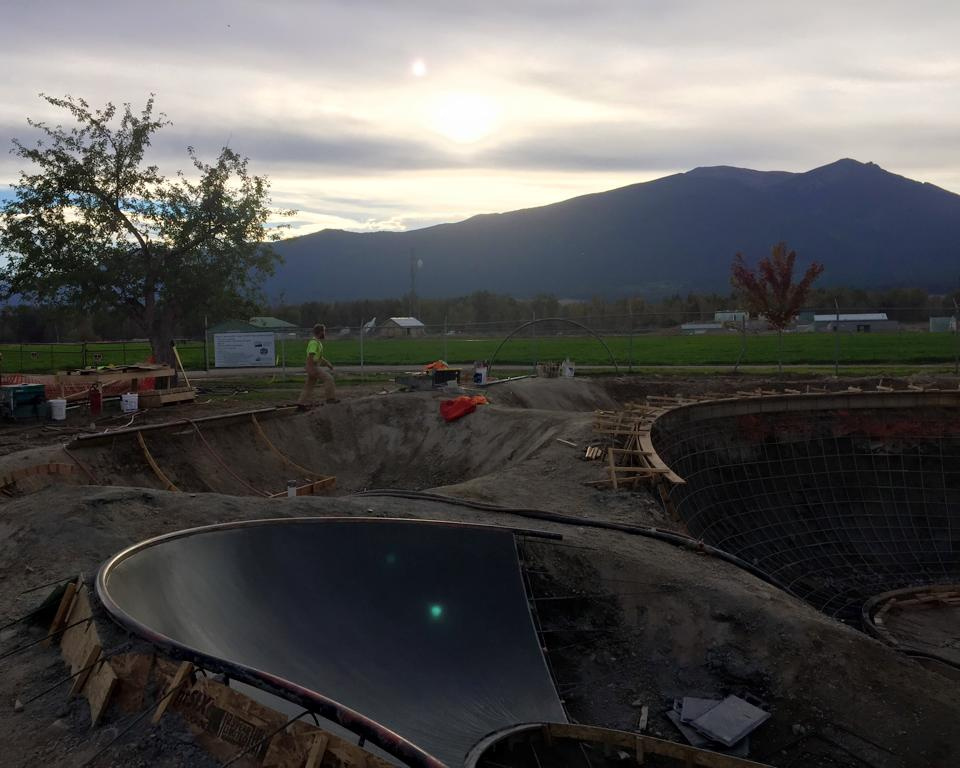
x=375 y=442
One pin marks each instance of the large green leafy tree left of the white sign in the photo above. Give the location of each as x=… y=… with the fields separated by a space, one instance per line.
x=93 y=225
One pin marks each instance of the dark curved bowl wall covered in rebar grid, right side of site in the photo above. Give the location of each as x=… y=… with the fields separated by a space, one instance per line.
x=834 y=505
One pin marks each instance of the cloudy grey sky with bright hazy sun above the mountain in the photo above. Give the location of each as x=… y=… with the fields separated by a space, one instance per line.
x=379 y=114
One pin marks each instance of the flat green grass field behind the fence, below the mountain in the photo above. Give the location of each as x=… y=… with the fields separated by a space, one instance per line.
x=896 y=349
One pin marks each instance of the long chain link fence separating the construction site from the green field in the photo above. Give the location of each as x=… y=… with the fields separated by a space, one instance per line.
x=634 y=341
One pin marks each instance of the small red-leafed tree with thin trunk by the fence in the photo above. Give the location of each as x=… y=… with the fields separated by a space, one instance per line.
x=770 y=290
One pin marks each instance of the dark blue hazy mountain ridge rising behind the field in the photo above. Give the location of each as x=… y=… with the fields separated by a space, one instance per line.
x=871 y=228
